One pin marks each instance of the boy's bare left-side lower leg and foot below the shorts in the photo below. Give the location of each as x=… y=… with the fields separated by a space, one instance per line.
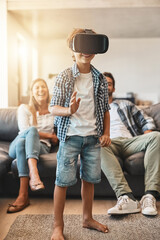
x=59 y=203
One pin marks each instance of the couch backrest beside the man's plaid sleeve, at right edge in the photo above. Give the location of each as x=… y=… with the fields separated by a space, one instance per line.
x=154 y=112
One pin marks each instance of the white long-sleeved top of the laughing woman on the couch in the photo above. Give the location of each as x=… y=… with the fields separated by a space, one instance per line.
x=44 y=122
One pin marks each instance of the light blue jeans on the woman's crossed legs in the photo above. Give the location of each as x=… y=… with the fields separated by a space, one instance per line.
x=27 y=145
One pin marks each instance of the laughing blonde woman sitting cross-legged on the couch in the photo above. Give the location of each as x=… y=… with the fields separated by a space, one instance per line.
x=36 y=134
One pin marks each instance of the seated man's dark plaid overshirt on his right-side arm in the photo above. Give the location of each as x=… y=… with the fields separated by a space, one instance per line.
x=135 y=120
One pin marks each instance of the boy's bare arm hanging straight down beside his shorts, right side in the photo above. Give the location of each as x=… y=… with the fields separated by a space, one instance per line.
x=105 y=138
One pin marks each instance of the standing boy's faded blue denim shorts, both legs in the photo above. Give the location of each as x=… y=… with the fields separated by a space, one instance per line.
x=90 y=164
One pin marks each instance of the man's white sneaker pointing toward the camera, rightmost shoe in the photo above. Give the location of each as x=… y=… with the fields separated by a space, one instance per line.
x=148 y=205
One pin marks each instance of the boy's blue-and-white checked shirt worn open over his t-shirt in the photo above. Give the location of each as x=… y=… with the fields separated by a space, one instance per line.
x=63 y=90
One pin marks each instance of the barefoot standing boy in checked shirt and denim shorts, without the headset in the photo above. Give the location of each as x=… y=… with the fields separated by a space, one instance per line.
x=80 y=102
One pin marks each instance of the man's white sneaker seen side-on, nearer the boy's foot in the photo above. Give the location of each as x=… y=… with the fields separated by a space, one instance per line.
x=125 y=205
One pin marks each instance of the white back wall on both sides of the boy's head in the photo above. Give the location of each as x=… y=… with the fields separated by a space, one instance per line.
x=135 y=64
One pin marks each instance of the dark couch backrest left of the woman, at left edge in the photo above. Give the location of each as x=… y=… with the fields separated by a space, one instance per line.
x=8 y=124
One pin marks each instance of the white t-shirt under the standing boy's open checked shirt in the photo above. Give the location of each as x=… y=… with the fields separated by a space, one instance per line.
x=83 y=122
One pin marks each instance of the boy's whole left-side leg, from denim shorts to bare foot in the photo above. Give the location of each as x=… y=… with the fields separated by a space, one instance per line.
x=67 y=157
